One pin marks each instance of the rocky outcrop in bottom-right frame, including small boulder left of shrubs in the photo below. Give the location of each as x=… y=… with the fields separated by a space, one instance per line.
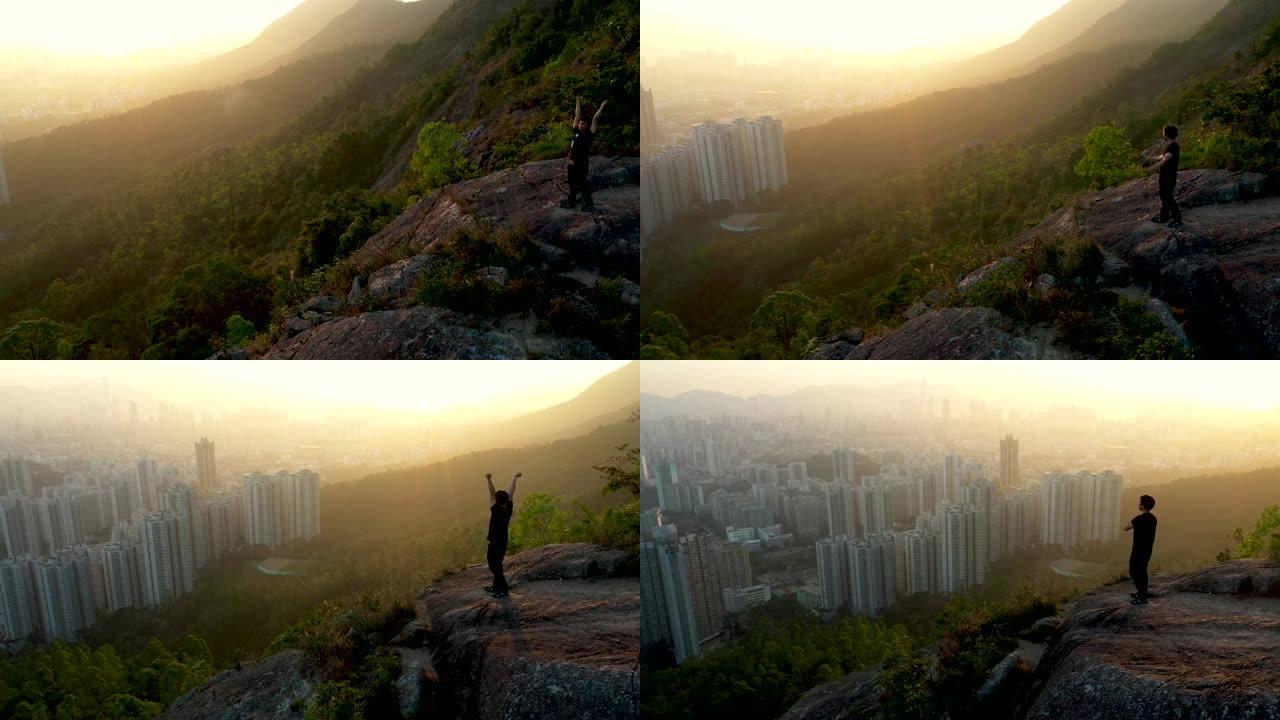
x=1208 y=645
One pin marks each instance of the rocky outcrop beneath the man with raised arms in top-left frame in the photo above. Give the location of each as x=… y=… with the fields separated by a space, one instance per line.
x=381 y=316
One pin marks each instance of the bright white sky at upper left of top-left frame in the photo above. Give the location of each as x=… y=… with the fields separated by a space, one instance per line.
x=115 y=28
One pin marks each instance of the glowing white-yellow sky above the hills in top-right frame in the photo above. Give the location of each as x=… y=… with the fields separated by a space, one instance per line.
x=766 y=30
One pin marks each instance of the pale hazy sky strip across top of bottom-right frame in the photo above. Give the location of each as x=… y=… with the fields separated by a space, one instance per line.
x=1117 y=390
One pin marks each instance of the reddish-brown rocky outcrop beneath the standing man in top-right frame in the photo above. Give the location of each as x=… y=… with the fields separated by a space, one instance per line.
x=1214 y=284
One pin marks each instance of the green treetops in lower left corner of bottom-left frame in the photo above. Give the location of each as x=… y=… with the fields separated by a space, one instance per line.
x=83 y=682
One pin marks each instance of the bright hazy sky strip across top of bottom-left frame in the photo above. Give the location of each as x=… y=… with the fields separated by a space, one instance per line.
x=500 y=389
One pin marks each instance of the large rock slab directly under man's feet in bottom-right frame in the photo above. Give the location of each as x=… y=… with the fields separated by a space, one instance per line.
x=1208 y=646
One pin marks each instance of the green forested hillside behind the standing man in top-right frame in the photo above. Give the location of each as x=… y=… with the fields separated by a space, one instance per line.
x=862 y=253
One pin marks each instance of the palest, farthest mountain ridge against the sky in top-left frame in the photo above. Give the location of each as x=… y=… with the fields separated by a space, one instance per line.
x=262 y=54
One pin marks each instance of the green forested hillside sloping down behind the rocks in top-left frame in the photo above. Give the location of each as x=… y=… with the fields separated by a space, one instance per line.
x=226 y=243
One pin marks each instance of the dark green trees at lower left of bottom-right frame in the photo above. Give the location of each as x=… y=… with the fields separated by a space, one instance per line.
x=760 y=676
